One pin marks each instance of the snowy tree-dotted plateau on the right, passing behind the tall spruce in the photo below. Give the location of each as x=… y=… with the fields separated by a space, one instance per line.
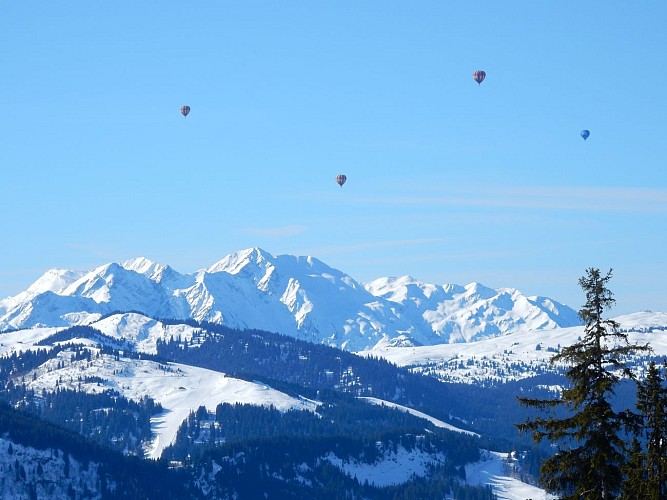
x=516 y=355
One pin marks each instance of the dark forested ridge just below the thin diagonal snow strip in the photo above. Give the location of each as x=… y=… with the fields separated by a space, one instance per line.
x=338 y=417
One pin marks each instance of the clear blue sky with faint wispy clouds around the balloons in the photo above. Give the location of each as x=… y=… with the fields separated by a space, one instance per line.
x=448 y=181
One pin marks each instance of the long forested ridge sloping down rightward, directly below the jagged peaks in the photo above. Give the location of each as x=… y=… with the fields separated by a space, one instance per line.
x=278 y=360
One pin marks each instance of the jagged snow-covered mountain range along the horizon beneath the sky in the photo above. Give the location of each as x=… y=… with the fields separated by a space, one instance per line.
x=298 y=296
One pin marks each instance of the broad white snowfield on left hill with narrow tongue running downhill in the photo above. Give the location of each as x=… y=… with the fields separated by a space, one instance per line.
x=180 y=389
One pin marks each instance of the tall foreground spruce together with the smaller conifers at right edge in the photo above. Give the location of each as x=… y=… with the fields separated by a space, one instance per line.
x=594 y=458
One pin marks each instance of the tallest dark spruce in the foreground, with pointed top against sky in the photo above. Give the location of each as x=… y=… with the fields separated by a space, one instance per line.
x=591 y=452
